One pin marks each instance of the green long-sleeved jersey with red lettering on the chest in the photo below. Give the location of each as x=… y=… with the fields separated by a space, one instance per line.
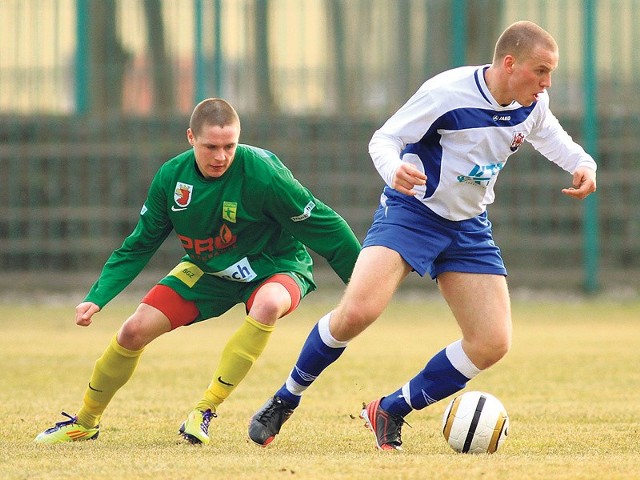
x=247 y=225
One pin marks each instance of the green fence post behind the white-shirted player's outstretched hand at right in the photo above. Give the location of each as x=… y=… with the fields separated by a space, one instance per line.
x=591 y=234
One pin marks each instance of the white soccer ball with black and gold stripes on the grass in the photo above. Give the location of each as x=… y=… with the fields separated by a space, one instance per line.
x=475 y=422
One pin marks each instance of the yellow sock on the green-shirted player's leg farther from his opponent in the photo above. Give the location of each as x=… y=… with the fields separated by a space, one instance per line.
x=111 y=371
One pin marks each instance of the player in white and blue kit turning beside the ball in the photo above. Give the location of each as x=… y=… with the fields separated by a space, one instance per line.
x=439 y=156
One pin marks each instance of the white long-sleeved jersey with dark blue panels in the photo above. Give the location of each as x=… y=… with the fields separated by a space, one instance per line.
x=455 y=132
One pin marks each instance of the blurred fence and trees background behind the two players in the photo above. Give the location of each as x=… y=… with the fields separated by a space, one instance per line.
x=96 y=94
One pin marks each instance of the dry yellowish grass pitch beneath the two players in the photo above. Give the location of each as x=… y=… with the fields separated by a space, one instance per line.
x=571 y=386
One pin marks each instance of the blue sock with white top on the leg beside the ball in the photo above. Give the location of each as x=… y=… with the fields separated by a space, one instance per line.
x=439 y=379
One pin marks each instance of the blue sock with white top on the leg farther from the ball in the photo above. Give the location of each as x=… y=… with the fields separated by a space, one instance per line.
x=318 y=352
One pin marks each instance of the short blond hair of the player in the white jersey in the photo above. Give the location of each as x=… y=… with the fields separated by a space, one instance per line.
x=520 y=39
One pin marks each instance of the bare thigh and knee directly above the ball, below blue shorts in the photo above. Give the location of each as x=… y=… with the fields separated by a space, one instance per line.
x=480 y=303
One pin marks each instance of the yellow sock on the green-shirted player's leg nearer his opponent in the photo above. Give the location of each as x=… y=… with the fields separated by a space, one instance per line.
x=241 y=351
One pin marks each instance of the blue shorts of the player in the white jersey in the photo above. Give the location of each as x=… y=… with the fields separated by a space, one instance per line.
x=430 y=243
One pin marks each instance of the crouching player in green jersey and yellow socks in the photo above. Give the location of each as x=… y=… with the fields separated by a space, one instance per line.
x=243 y=221
